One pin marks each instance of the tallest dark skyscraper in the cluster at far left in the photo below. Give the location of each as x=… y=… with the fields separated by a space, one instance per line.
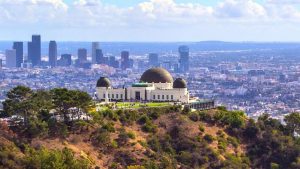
x=35 y=50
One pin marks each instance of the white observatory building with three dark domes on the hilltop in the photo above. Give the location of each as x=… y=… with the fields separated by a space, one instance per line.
x=156 y=85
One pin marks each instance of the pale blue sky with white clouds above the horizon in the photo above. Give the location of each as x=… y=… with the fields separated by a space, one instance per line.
x=151 y=20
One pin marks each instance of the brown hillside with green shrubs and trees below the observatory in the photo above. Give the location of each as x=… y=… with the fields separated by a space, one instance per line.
x=145 y=138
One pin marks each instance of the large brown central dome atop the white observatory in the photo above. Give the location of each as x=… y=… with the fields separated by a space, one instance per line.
x=156 y=75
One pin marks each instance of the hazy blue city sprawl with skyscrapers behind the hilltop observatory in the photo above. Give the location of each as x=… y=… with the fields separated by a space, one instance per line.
x=255 y=81
